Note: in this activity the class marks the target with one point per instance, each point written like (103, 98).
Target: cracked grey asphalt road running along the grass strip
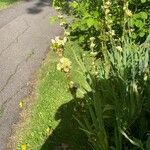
(25, 34)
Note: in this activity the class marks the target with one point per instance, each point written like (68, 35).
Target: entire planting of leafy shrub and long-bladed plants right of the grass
(117, 108)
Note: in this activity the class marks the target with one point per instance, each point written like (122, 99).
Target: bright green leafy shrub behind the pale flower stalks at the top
(96, 17)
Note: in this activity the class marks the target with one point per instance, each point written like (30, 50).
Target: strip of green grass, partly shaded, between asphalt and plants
(50, 122)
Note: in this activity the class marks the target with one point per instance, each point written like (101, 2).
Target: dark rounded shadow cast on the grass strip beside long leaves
(67, 135)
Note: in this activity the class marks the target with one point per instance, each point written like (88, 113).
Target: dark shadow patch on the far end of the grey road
(38, 6)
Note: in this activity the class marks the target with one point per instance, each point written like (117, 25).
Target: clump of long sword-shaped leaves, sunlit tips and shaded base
(116, 115)
